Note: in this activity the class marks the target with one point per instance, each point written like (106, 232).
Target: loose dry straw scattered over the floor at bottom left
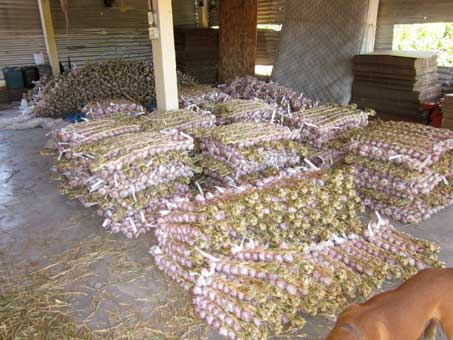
(39, 303)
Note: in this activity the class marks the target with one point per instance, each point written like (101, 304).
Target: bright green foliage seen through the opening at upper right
(437, 37)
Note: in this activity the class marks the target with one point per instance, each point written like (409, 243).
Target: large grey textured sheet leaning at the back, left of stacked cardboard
(319, 39)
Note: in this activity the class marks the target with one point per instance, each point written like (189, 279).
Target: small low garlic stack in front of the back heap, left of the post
(109, 107)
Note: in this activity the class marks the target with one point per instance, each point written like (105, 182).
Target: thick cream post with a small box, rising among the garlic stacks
(164, 57)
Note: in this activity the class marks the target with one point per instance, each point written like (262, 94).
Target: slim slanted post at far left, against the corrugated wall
(49, 35)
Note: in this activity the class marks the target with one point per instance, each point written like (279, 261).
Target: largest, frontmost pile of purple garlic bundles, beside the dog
(256, 255)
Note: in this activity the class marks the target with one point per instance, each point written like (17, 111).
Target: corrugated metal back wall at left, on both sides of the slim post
(95, 32)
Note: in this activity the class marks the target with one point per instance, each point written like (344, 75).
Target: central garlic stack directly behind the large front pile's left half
(230, 153)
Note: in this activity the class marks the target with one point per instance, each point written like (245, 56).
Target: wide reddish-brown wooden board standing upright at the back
(237, 38)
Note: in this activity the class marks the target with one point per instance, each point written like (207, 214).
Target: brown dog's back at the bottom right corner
(403, 313)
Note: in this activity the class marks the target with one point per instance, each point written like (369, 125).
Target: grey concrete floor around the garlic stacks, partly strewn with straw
(121, 285)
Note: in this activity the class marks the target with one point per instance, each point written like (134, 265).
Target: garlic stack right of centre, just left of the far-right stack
(328, 129)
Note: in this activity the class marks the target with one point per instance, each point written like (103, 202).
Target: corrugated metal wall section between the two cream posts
(95, 32)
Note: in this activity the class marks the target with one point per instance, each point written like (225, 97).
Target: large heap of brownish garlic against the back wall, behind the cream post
(69, 92)
